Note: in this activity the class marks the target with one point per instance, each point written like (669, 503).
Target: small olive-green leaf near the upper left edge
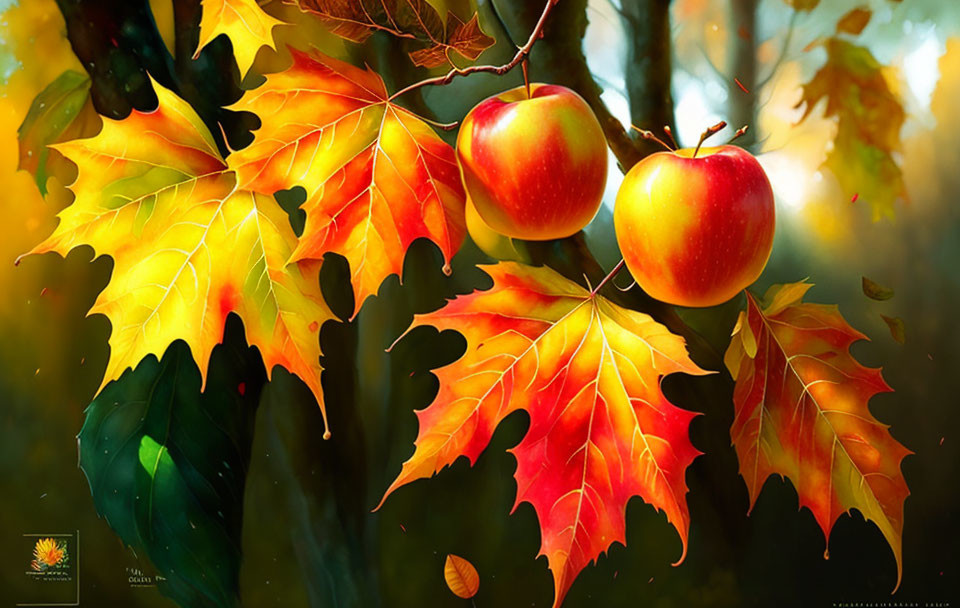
(61, 111)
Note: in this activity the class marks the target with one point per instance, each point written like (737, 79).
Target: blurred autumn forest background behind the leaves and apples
(309, 538)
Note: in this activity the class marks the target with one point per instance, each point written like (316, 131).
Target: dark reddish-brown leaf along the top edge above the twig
(356, 20)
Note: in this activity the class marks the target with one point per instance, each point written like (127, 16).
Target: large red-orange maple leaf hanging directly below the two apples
(588, 373)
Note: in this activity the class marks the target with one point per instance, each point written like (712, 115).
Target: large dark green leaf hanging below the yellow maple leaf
(167, 465)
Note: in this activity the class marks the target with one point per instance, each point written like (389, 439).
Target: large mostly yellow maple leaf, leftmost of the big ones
(188, 247)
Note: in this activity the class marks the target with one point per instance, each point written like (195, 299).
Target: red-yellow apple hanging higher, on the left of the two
(535, 167)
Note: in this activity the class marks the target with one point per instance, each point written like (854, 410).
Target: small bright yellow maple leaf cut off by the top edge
(244, 22)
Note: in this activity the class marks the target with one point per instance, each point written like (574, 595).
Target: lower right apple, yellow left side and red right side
(695, 230)
